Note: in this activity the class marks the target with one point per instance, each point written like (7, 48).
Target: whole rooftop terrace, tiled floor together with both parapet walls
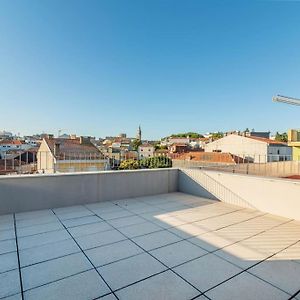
(154, 234)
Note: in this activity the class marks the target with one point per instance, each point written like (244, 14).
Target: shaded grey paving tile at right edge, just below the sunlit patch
(283, 274)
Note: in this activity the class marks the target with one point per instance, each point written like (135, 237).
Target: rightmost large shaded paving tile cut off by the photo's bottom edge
(246, 287)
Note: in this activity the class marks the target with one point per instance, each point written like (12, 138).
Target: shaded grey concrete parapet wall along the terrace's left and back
(34, 192)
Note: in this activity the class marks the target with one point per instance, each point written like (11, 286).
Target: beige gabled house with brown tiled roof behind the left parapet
(76, 154)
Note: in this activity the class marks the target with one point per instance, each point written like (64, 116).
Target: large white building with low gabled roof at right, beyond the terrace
(255, 149)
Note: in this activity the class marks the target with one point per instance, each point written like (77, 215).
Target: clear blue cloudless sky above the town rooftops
(103, 67)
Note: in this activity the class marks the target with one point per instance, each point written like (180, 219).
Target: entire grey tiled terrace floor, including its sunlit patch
(172, 246)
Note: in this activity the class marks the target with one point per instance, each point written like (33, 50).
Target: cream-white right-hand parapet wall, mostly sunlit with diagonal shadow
(271, 195)
